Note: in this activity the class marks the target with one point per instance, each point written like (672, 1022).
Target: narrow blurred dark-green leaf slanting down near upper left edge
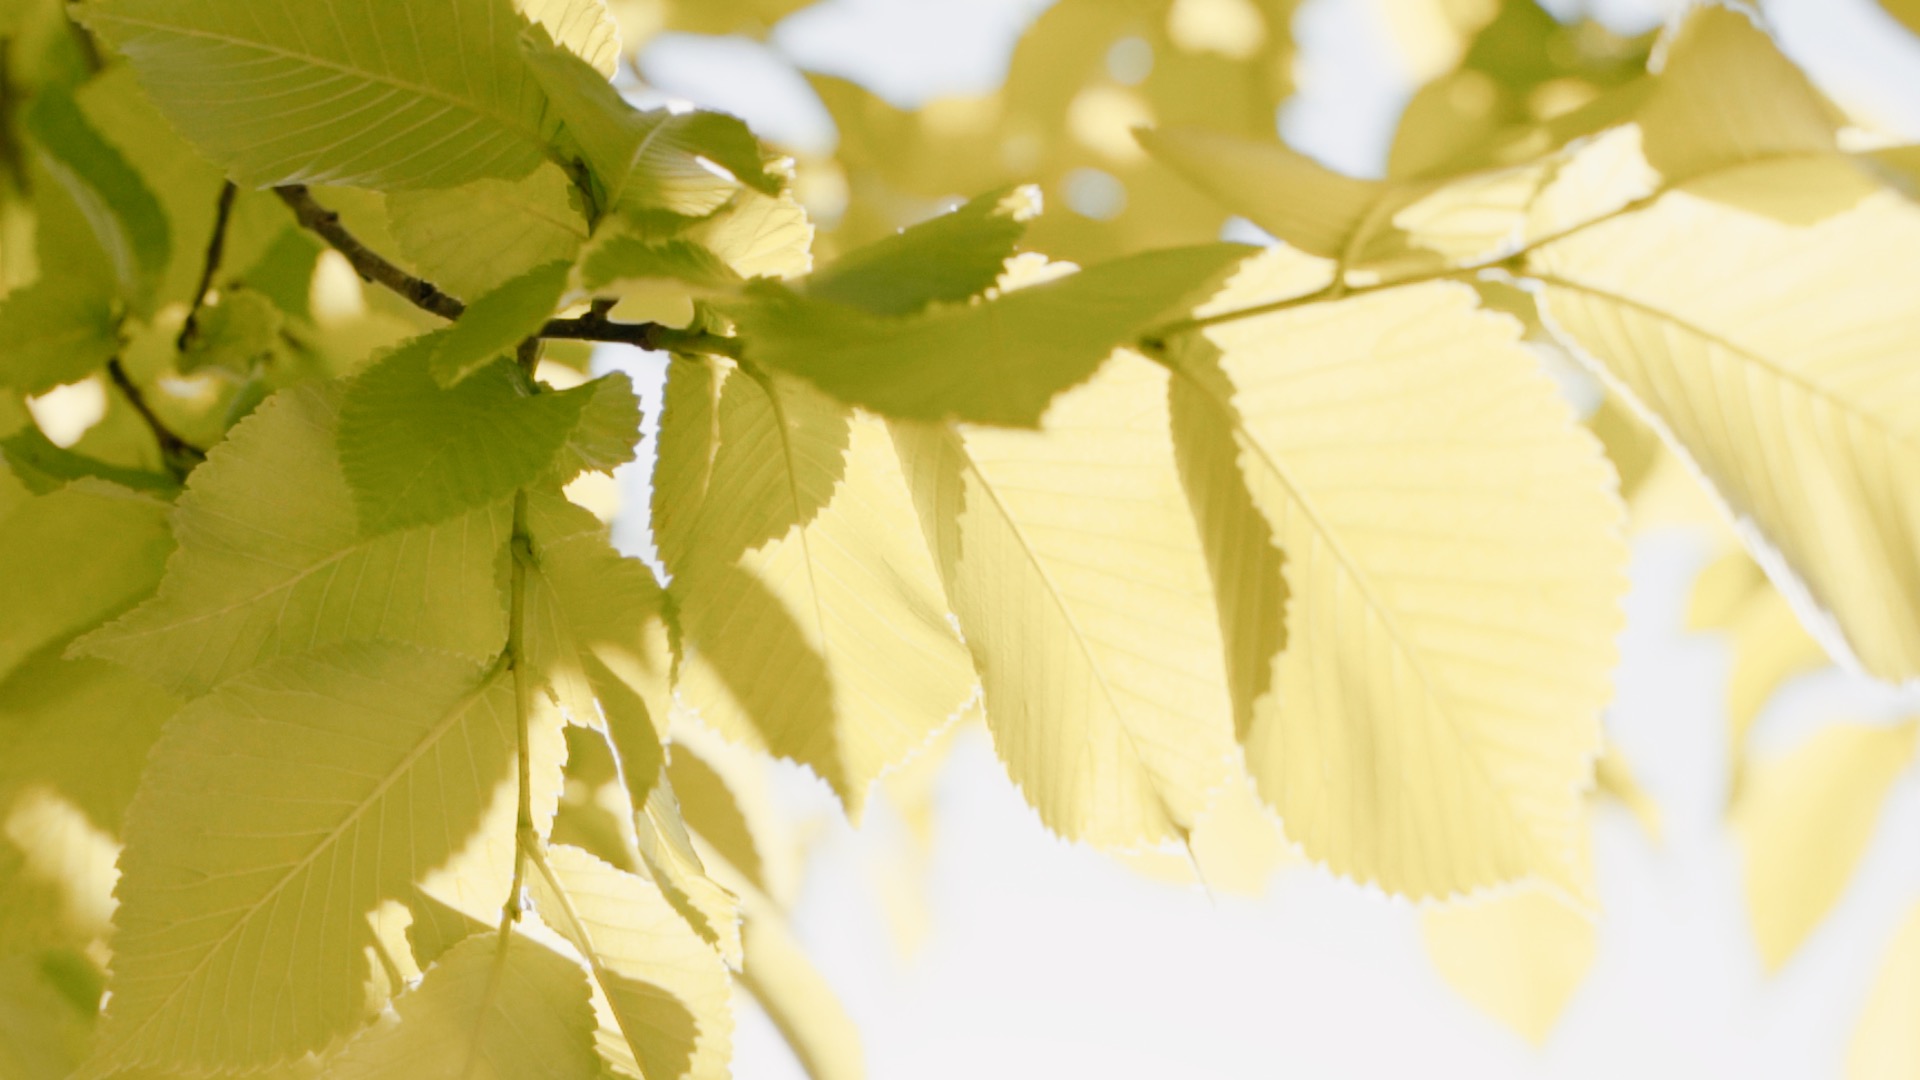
(126, 216)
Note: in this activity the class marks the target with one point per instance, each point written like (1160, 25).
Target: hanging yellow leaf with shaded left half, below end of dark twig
(809, 608)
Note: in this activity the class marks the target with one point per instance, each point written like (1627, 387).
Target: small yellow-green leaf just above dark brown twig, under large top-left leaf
(477, 237)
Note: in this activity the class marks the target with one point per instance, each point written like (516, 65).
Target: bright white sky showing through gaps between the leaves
(1051, 962)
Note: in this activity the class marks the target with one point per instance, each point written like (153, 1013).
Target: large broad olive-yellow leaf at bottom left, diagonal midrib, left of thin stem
(274, 816)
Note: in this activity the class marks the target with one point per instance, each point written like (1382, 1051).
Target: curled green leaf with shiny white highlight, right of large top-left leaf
(650, 160)
